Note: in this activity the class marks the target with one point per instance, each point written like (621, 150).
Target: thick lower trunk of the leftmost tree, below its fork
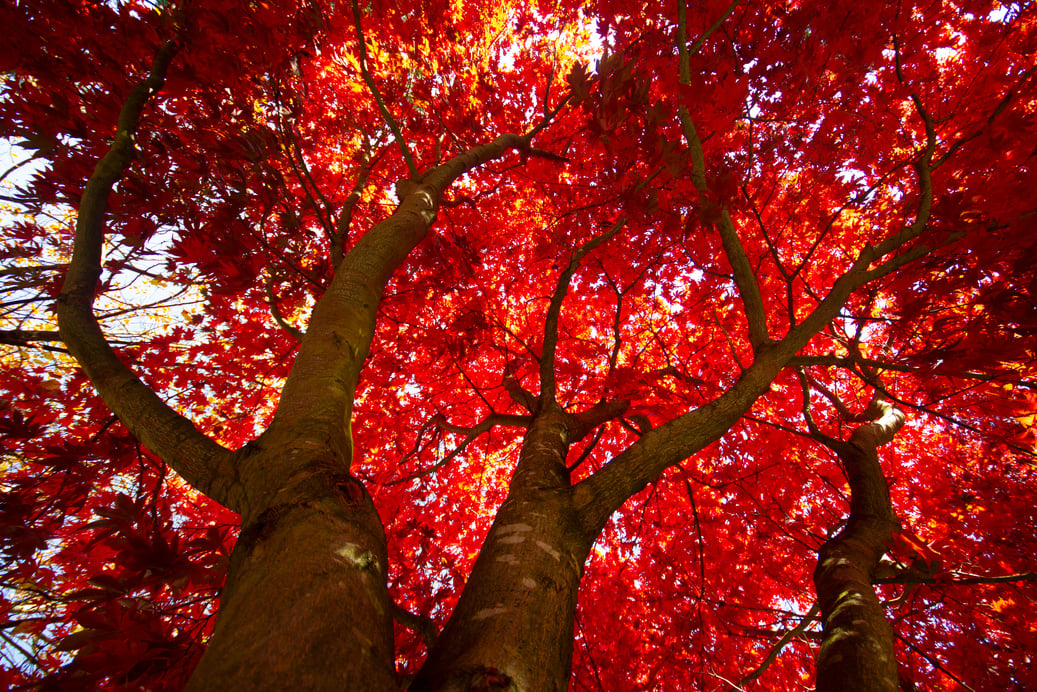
(305, 606)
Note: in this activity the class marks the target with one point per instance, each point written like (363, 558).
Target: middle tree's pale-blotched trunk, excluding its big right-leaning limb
(513, 628)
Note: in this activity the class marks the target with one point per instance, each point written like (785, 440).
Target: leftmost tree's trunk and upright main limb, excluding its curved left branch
(306, 604)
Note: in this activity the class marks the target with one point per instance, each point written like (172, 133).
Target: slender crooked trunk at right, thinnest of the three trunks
(857, 652)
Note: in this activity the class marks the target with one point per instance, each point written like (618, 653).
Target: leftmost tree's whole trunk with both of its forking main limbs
(305, 605)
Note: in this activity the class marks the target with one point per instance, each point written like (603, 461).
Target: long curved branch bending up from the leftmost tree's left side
(199, 460)
